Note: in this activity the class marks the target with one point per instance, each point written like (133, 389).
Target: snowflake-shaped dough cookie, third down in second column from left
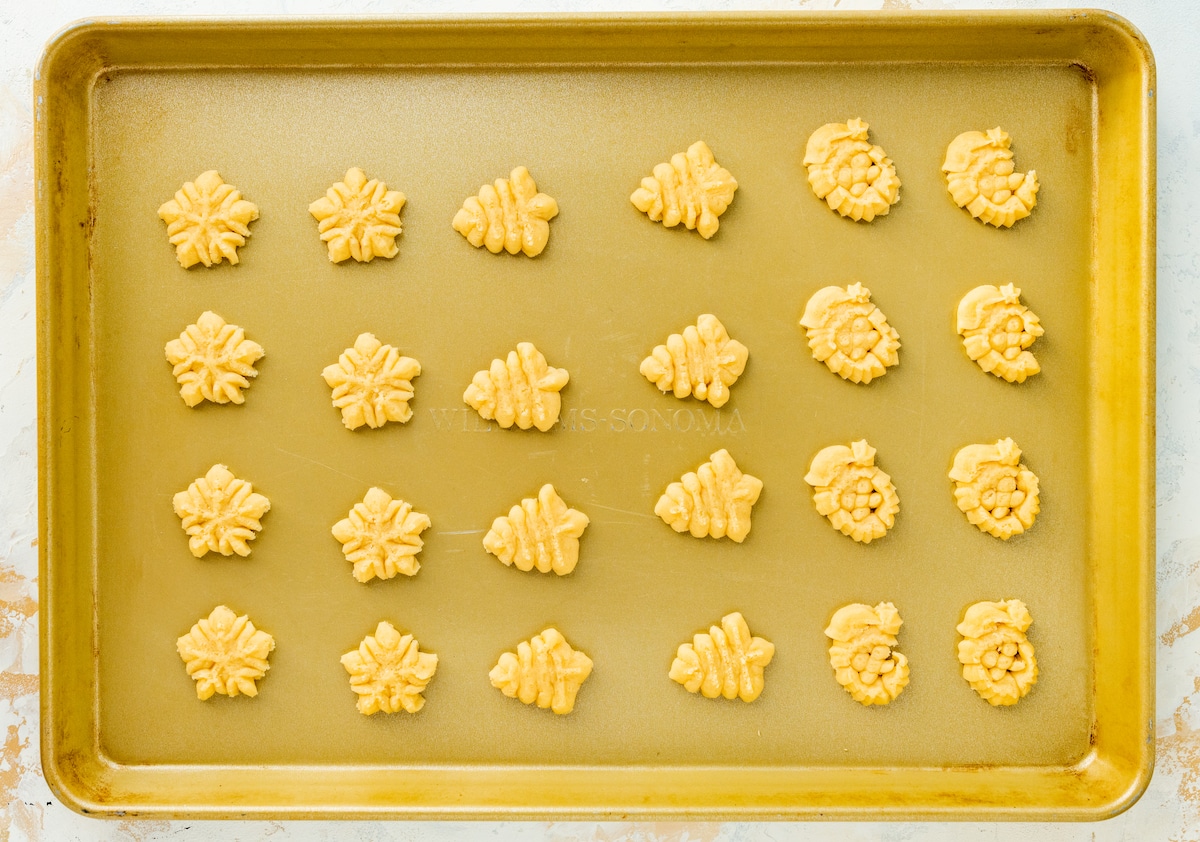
(382, 537)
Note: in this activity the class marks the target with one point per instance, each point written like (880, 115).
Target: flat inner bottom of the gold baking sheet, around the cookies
(610, 286)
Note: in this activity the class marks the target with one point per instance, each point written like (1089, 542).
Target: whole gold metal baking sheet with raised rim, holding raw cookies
(437, 109)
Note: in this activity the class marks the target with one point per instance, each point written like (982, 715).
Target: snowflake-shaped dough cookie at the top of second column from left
(359, 219)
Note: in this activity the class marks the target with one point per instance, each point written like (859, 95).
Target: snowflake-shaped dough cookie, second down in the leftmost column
(213, 362)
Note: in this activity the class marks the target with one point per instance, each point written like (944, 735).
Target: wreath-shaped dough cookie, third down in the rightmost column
(994, 490)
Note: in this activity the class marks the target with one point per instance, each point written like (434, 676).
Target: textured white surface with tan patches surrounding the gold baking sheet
(1169, 811)
